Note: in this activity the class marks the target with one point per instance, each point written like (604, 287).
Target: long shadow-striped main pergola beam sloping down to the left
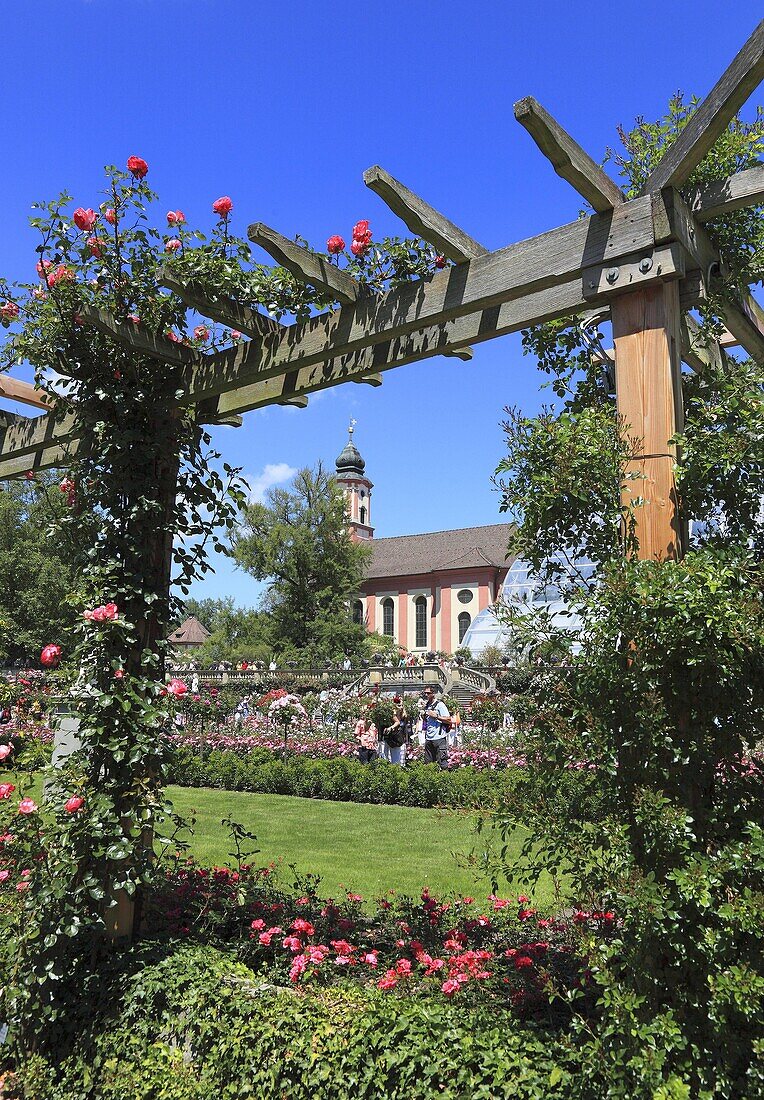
(485, 284)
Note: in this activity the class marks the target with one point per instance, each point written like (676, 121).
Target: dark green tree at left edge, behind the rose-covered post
(36, 578)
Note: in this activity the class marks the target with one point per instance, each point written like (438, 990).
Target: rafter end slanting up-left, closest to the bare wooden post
(569, 160)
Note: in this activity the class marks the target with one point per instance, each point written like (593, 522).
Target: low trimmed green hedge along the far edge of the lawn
(345, 780)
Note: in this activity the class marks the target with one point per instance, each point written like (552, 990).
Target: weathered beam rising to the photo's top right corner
(713, 116)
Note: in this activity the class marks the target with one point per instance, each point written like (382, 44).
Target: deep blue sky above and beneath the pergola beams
(284, 108)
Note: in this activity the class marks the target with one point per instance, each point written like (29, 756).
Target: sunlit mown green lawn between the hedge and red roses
(366, 849)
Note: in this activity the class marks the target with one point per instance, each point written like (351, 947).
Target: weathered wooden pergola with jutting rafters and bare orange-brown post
(644, 265)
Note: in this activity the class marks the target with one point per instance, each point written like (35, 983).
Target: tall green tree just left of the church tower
(298, 542)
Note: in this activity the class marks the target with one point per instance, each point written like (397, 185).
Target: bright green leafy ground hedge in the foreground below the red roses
(198, 1026)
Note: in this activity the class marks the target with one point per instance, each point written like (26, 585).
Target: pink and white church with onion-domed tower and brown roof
(422, 590)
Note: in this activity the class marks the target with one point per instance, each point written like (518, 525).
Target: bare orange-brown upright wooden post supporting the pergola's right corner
(647, 334)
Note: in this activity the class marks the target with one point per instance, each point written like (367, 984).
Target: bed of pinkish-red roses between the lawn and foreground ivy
(500, 950)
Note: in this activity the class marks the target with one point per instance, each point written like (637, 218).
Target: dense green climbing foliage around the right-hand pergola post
(667, 700)
